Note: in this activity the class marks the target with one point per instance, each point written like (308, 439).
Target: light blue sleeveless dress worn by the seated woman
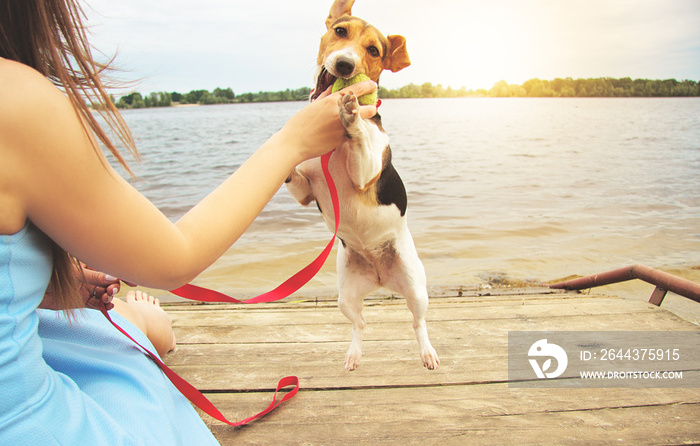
(77, 382)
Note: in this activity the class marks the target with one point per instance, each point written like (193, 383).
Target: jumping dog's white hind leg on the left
(356, 279)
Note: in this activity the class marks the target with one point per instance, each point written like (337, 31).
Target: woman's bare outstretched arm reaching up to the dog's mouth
(51, 175)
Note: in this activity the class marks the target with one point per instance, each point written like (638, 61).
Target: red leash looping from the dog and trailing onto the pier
(288, 287)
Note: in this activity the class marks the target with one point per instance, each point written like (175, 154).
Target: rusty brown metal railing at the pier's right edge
(664, 282)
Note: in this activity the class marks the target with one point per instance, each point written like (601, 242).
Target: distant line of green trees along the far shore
(568, 87)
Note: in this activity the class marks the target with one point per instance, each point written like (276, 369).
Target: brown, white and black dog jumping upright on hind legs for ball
(376, 248)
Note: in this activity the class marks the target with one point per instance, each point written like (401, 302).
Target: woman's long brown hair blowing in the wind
(49, 36)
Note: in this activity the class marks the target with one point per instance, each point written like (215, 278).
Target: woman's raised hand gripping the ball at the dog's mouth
(317, 129)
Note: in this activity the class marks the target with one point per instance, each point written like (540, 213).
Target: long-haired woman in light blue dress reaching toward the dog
(58, 195)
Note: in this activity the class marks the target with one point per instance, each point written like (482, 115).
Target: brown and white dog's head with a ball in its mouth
(352, 46)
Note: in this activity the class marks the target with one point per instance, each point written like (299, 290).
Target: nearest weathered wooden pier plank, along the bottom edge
(478, 414)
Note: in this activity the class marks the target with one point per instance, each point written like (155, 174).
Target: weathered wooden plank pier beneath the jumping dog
(235, 354)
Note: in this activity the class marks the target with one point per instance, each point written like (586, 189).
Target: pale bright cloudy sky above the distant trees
(270, 45)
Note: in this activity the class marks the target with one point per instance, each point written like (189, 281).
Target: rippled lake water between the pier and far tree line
(511, 190)
